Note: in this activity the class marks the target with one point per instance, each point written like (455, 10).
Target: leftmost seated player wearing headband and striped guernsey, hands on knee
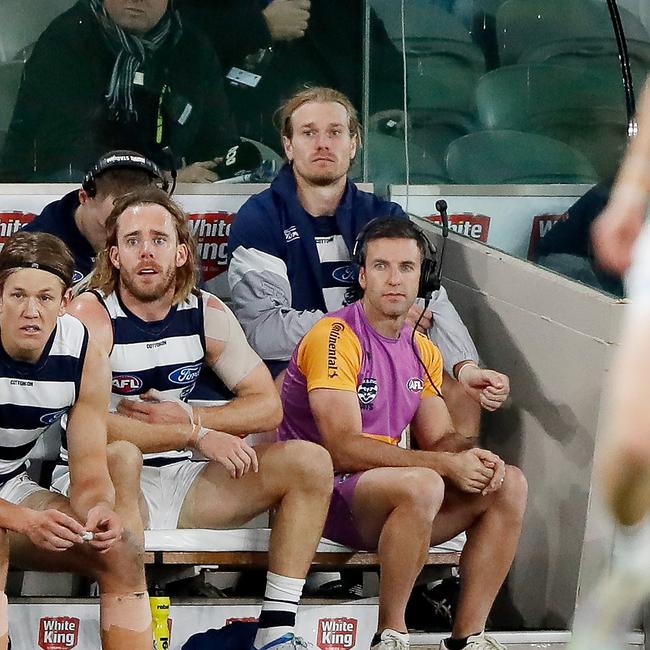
(49, 369)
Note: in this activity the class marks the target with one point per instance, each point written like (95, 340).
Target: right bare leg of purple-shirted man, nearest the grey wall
(493, 524)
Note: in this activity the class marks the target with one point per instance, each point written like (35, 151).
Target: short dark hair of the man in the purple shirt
(382, 228)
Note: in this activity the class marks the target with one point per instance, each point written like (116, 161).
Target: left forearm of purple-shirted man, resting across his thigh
(359, 453)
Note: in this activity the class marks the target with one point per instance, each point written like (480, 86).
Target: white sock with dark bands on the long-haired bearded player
(278, 615)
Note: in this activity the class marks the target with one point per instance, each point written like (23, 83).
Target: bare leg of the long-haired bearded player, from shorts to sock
(295, 476)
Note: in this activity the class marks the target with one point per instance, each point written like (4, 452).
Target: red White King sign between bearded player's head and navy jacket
(211, 230)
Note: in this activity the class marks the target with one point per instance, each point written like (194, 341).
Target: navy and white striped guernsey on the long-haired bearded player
(166, 355)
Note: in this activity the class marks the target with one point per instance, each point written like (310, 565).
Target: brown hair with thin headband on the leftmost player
(37, 250)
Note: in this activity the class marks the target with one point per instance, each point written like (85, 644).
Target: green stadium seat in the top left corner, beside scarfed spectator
(23, 21)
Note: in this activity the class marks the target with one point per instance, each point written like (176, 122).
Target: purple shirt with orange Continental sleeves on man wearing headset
(344, 352)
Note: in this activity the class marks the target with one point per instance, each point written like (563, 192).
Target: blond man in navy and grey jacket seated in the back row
(290, 253)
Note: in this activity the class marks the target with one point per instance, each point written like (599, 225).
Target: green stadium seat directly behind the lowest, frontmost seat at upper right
(567, 104)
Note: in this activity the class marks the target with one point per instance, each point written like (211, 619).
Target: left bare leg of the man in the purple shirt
(394, 508)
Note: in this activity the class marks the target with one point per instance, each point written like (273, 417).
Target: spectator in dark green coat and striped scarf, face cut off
(113, 74)
